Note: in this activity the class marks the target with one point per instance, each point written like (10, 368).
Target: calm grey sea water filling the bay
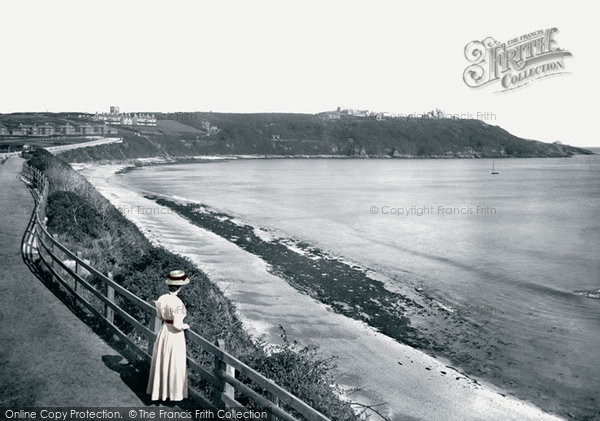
(506, 258)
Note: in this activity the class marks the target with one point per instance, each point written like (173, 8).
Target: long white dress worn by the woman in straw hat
(168, 371)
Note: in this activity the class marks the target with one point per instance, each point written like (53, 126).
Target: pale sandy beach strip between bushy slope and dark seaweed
(412, 384)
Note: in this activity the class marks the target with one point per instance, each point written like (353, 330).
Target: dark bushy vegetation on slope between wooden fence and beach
(85, 221)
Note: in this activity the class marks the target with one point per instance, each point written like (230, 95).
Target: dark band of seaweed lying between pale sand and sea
(347, 289)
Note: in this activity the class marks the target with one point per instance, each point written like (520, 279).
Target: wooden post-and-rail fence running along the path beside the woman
(228, 377)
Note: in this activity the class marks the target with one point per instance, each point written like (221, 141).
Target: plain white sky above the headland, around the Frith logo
(294, 56)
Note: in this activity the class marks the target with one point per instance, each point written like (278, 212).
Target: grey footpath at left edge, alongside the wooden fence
(49, 357)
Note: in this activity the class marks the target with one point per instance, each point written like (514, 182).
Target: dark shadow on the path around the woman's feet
(136, 378)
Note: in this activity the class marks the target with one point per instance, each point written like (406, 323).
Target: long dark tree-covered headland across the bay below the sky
(306, 134)
